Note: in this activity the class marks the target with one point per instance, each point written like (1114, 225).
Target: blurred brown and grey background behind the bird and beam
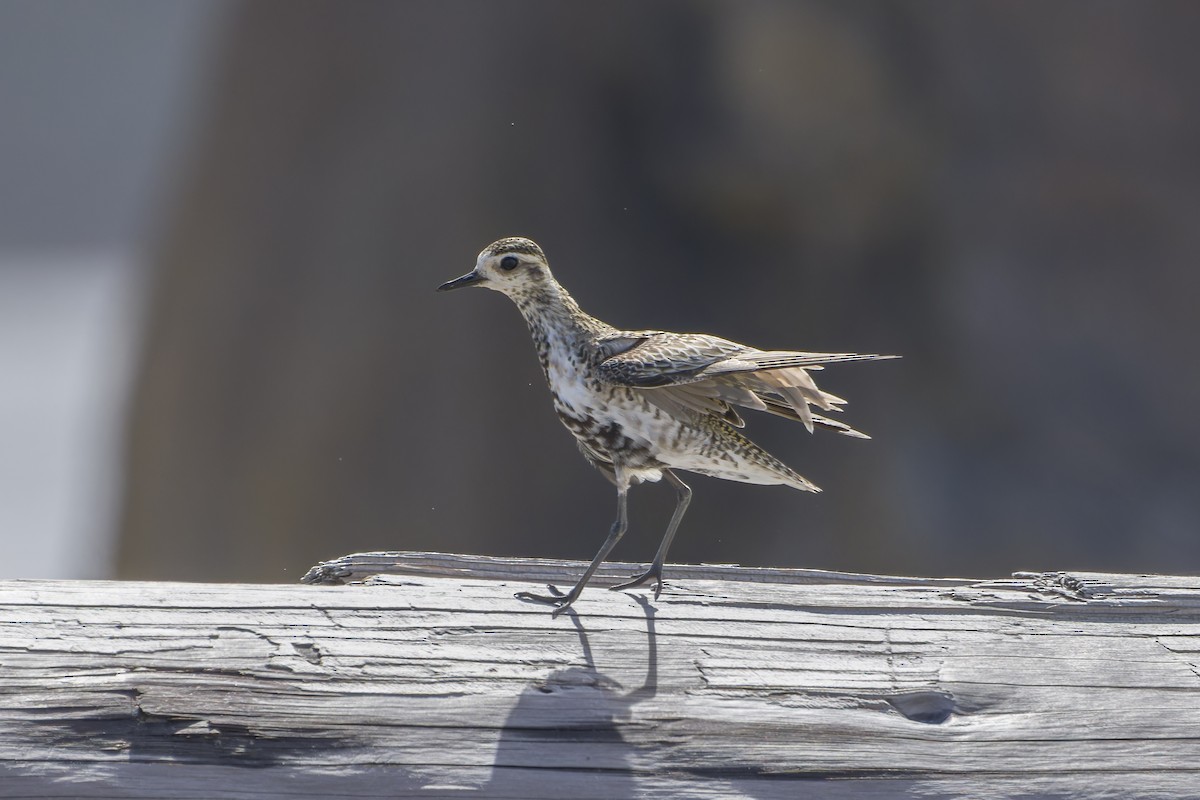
(221, 225)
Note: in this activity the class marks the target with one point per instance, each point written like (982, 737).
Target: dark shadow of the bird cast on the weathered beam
(569, 720)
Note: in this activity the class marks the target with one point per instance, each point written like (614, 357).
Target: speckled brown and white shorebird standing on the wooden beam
(643, 405)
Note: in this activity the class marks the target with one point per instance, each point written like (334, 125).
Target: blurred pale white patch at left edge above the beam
(68, 332)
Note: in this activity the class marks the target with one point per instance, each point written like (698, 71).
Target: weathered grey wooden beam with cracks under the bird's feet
(434, 682)
